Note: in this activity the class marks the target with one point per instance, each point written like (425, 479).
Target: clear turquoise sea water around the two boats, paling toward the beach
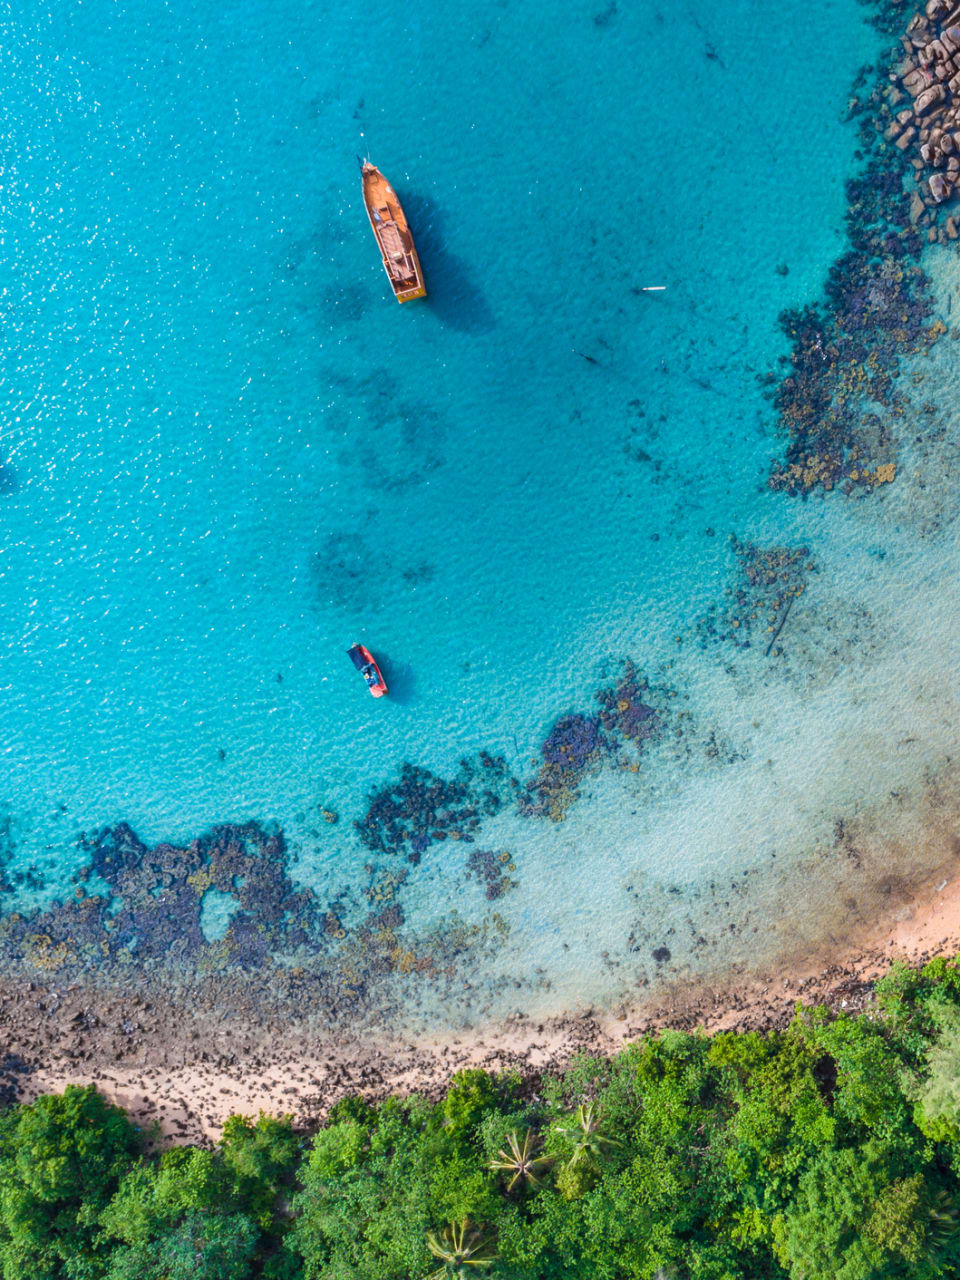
(227, 454)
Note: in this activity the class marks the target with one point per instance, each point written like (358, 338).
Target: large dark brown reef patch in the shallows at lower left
(136, 918)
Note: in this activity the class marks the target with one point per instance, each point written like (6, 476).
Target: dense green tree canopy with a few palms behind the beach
(826, 1151)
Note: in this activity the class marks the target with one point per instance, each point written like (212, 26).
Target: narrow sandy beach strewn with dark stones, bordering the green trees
(173, 1069)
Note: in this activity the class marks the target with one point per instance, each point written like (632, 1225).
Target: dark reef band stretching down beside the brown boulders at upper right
(838, 399)
